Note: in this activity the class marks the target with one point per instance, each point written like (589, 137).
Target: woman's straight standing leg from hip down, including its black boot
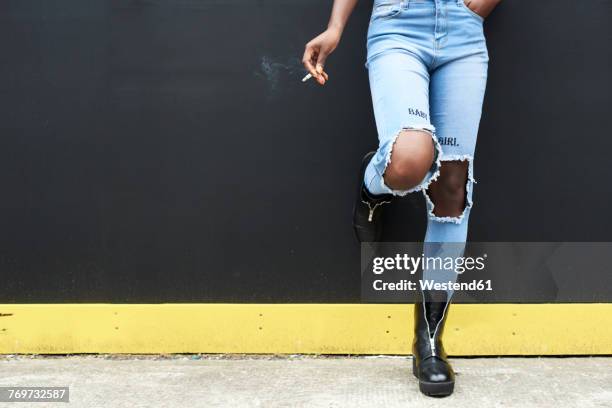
(457, 86)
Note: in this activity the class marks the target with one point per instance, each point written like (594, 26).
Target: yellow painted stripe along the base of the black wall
(494, 329)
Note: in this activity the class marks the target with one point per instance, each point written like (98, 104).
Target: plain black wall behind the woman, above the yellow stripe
(166, 150)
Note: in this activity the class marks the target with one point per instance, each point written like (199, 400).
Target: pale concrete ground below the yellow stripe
(299, 381)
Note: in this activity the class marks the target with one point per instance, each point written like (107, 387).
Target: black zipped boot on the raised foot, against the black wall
(367, 221)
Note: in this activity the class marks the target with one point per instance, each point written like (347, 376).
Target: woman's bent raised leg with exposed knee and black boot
(406, 159)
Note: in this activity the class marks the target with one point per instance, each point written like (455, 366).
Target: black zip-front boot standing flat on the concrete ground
(429, 362)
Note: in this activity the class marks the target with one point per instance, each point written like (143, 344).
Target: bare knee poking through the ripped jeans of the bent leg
(411, 158)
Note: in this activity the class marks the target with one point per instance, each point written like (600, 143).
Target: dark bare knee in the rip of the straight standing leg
(448, 192)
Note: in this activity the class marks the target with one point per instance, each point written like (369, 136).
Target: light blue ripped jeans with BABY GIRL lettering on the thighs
(427, 62)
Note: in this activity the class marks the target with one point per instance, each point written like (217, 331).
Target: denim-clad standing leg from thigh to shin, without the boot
(457, 93)
